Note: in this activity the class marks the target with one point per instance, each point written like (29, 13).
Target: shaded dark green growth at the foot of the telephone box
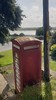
(32, 93)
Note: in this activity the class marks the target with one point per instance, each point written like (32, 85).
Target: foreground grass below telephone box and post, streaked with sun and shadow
(46, 91)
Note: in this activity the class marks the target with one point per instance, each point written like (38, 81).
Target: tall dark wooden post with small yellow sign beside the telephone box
(46, 38)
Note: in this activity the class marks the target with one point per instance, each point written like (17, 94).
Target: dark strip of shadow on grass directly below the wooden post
(48, 91)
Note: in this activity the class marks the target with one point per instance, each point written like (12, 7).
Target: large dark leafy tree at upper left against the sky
(10, 18)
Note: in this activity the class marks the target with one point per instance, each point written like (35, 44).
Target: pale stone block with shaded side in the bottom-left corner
(5, 91)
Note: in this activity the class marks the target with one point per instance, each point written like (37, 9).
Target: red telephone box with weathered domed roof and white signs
(27, 61)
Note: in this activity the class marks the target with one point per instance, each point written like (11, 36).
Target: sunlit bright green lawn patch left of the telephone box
(6, 58)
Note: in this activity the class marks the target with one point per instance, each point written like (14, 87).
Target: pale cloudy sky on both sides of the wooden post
(33, 9)
